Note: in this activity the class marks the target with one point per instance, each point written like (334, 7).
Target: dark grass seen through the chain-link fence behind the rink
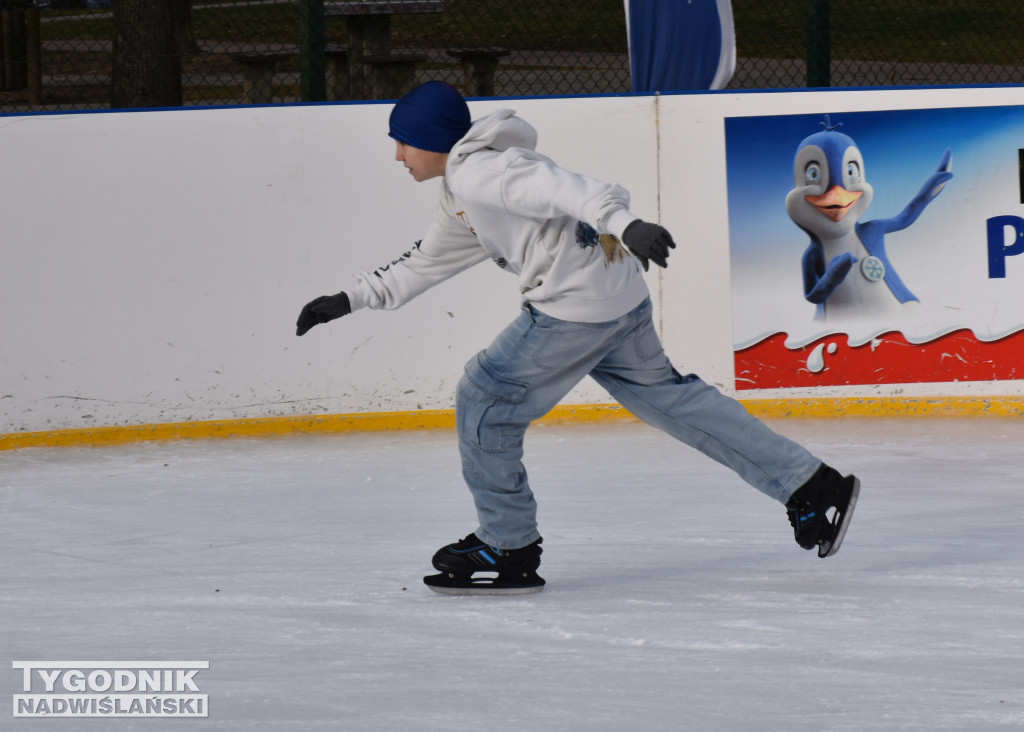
(950, 31)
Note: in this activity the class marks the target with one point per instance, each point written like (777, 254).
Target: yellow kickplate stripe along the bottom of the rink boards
(445, 419)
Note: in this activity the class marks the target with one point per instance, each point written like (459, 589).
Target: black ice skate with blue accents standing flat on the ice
(509, 572)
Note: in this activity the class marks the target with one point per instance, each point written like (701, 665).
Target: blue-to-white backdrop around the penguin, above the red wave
(943, 256)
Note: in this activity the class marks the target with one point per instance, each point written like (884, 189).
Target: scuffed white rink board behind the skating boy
(155, 263)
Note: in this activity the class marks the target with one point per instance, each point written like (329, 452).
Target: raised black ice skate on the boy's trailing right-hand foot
(822, 508)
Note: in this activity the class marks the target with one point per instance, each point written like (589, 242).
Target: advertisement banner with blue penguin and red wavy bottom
(877, 247)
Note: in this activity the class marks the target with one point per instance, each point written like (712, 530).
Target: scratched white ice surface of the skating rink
(676, 598)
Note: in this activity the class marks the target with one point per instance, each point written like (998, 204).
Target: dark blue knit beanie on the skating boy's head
(432, 117)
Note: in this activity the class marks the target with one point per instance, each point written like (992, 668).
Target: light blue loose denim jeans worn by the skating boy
(537, 360)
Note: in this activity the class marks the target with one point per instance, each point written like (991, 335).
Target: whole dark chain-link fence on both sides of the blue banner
(64, 55)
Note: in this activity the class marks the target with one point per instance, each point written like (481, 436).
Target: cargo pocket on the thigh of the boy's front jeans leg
(487, 404)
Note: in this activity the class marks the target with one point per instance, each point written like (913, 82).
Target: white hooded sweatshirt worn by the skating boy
(559, 232)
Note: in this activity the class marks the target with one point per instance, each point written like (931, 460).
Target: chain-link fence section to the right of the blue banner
(818, 44)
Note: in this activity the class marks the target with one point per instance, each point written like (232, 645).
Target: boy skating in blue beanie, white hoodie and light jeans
(578, 253)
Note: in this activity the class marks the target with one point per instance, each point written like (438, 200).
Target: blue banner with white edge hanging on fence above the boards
(678, 46)
